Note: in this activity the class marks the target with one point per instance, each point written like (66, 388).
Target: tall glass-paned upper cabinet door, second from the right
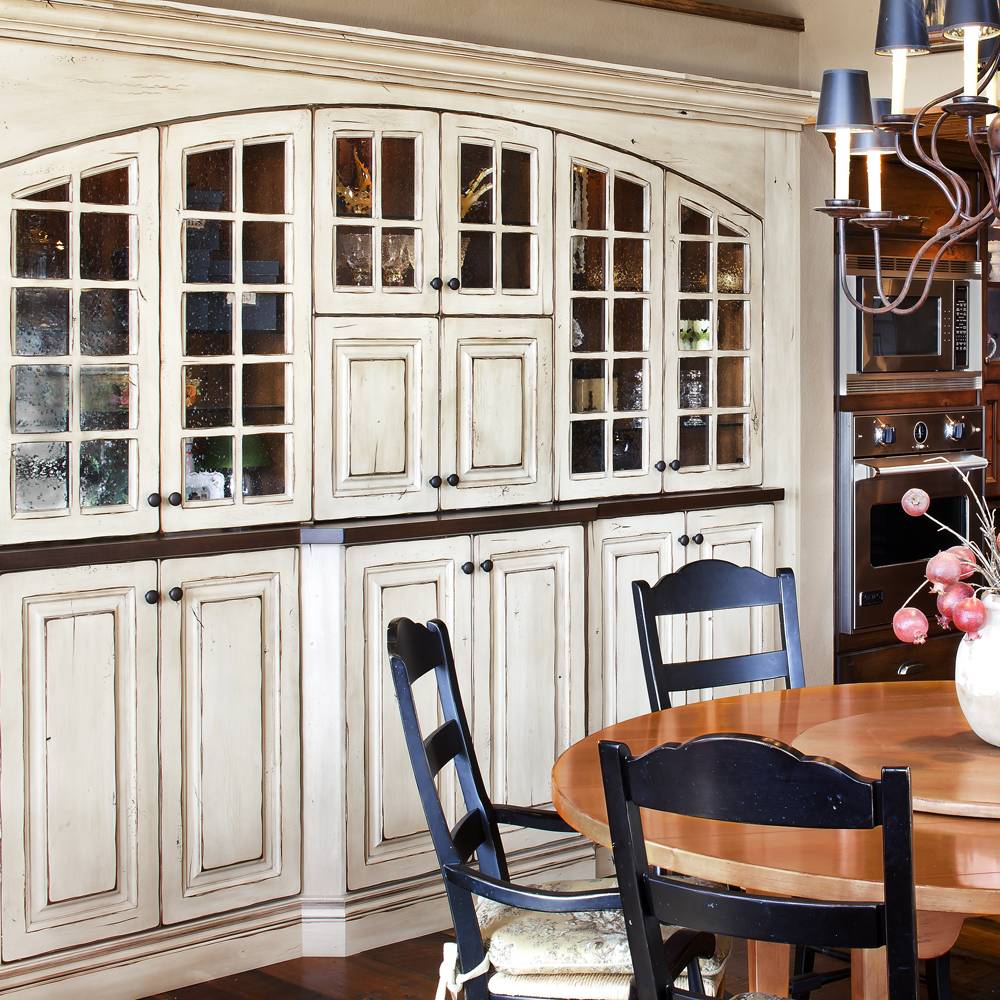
(608, 374)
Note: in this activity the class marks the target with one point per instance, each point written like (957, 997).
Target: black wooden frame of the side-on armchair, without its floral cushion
(415, 650)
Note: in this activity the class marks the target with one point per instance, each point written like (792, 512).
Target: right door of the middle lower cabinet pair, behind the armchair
(529, 669)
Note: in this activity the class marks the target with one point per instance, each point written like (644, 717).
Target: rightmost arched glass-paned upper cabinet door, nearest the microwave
(715, 340)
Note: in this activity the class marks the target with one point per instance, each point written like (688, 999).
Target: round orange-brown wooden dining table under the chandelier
(956, 856)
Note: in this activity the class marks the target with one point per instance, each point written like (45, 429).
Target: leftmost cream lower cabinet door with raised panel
(78, 786)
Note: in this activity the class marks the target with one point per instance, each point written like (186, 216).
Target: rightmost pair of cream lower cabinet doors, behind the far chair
(646, 548)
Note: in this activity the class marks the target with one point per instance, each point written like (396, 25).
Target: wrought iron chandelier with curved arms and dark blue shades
(875, 129)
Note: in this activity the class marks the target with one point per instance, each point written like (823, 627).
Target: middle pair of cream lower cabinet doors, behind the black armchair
(513, 603)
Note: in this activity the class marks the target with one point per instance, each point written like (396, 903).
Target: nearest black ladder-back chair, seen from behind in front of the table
(748, 779)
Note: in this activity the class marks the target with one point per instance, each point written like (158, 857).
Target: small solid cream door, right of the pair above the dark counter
(496, 414)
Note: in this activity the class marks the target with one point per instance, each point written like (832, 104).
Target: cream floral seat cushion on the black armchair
(579, 956)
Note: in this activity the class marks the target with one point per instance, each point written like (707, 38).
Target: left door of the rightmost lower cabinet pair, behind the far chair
(621, 551)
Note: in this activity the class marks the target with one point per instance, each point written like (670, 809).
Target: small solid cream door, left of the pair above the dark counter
(376, 416)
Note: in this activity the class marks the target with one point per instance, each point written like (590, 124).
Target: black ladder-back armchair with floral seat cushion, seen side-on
(567, 914)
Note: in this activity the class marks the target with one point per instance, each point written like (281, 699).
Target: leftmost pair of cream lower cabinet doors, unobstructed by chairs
(95, 746)
